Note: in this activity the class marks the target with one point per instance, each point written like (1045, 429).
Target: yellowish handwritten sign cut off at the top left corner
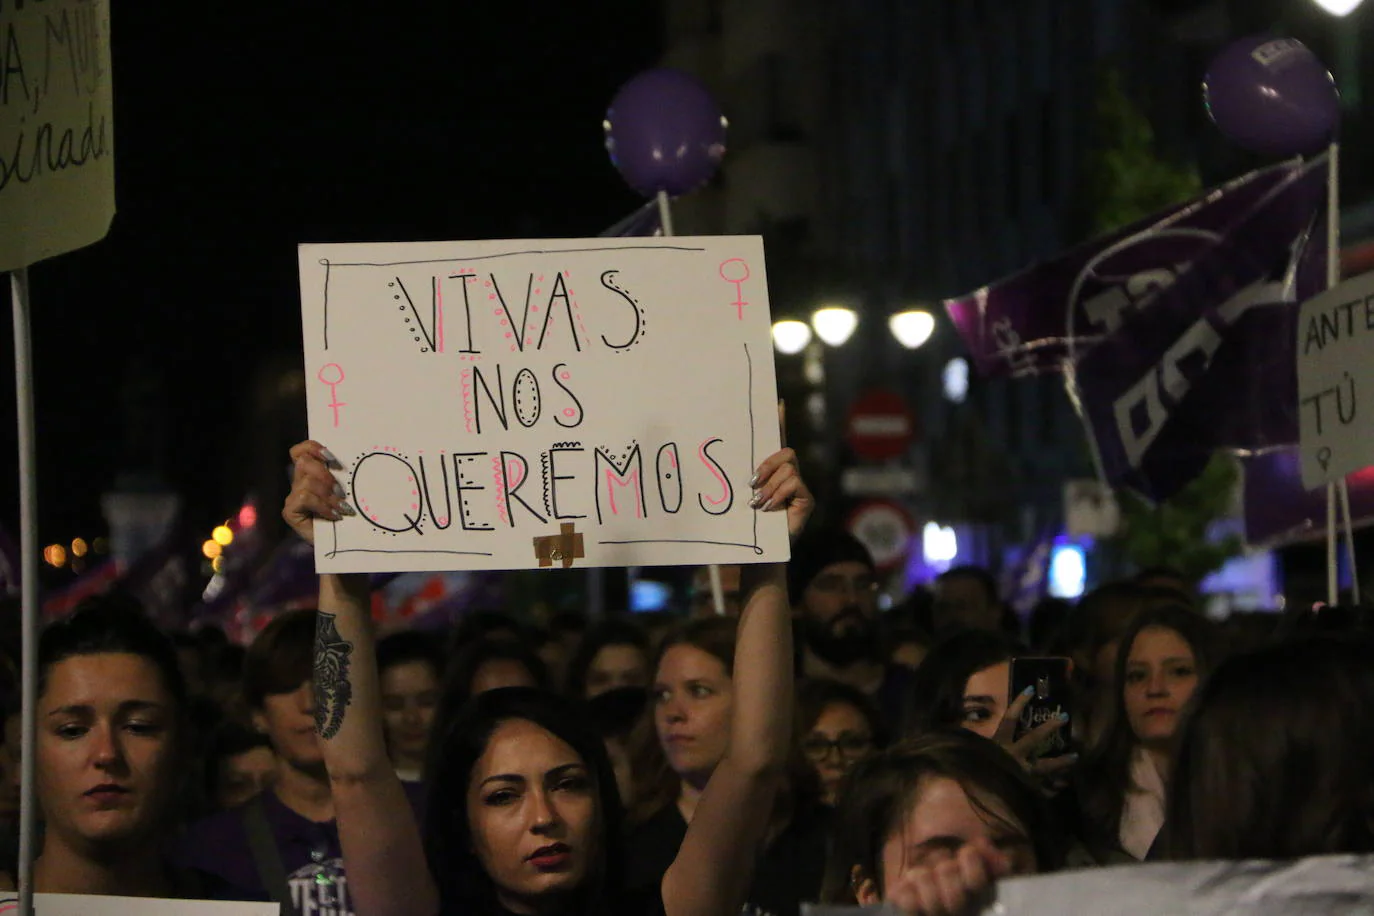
(57, 128)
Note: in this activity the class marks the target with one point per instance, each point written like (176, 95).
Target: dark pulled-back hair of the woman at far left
(112, 624)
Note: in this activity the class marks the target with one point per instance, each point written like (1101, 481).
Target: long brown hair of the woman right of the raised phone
(1105, 777)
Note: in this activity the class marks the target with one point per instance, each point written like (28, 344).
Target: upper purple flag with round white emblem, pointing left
(1042, 318)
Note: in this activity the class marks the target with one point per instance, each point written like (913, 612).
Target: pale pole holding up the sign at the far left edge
(30, 582)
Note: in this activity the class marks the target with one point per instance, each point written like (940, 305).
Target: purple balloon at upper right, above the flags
(1273, 97)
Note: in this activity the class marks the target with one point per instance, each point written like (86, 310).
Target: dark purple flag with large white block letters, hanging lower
(1207, 360)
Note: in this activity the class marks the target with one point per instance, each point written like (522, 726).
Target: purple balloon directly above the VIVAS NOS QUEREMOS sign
(666, 133)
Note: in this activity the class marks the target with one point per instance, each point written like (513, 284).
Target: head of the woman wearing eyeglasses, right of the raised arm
(840, 727)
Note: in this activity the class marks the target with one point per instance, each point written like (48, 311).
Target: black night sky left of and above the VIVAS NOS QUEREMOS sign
(247, 128)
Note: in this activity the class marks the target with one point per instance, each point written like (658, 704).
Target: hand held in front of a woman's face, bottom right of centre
(957, 886)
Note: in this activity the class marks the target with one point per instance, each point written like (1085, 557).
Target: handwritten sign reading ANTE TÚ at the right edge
(1335, 376)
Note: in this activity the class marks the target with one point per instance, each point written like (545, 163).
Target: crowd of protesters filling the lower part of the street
(800, 748)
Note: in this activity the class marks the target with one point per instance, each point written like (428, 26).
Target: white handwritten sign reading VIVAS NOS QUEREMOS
(542, 404)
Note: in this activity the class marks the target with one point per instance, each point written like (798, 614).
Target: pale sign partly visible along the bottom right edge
(1324, 886)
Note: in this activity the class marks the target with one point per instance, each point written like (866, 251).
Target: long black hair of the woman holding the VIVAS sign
(465, 886)
